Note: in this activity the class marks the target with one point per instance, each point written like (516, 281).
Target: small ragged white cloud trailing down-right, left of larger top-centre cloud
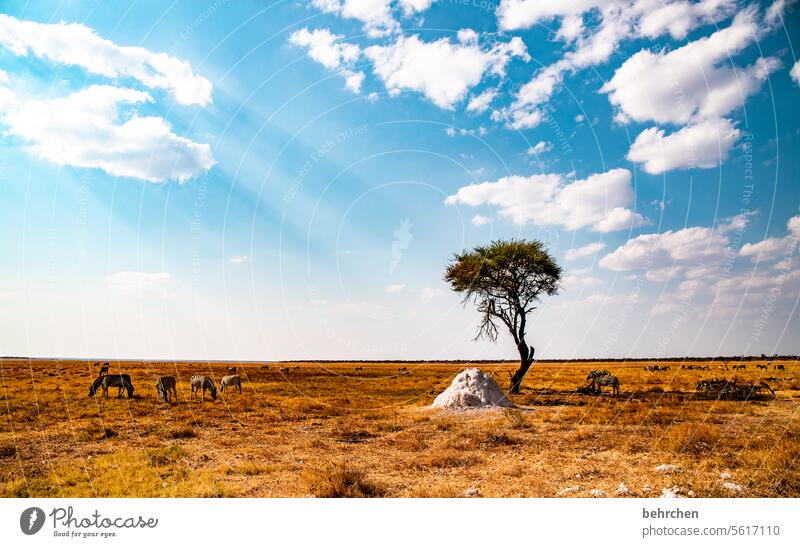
(328, 50)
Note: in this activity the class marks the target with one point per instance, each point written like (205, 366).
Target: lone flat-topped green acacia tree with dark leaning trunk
(505, 279)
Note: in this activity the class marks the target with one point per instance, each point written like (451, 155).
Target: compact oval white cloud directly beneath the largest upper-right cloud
(705, 144)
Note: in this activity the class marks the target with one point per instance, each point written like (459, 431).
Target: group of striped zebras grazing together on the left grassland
(166, 386)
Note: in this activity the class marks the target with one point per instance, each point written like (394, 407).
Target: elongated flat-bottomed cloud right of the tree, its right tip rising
(694, 247)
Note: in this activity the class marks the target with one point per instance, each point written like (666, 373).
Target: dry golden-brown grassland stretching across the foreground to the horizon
(329, 430)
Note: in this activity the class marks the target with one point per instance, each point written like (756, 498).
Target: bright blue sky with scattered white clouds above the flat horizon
(289, 179)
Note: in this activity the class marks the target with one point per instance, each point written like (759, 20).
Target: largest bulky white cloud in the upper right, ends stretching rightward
(692, 82)
